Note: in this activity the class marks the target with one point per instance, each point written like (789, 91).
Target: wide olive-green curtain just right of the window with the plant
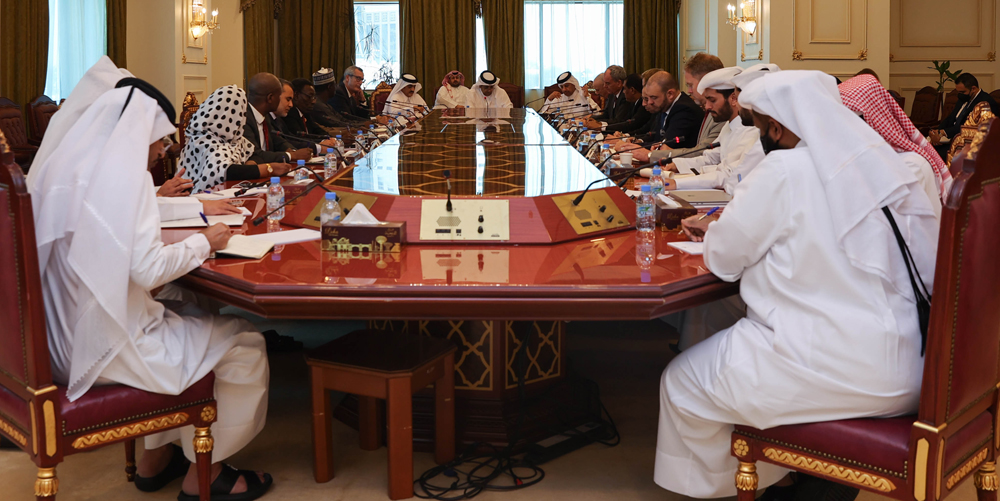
(438, 36)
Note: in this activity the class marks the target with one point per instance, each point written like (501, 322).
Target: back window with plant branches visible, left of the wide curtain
(376, 39)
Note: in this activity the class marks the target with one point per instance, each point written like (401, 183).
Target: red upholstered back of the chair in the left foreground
(24, 354)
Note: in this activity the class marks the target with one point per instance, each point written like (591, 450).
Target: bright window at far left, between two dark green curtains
(77, 39)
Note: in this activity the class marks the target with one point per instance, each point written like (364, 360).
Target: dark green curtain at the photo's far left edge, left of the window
(24, 49)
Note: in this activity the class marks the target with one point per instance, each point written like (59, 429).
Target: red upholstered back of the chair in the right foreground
(962, 366)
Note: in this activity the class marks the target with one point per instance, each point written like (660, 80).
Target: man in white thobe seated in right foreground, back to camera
(831, 330)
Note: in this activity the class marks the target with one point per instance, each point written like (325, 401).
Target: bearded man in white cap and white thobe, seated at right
(739, 150)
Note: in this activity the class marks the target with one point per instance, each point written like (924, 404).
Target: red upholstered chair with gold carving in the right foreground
(955, 434)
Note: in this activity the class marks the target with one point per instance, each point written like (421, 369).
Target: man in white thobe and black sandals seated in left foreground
(99, 258)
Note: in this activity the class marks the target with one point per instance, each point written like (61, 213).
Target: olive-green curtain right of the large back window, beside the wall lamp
(650, 33)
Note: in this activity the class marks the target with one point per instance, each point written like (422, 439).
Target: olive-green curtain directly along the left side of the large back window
(503, 24)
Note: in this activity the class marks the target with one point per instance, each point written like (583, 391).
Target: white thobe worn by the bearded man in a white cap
(738, 153)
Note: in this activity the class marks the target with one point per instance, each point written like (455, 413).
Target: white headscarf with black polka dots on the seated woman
(215, 138)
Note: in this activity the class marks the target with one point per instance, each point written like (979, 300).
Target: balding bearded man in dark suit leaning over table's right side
(676, 115)
